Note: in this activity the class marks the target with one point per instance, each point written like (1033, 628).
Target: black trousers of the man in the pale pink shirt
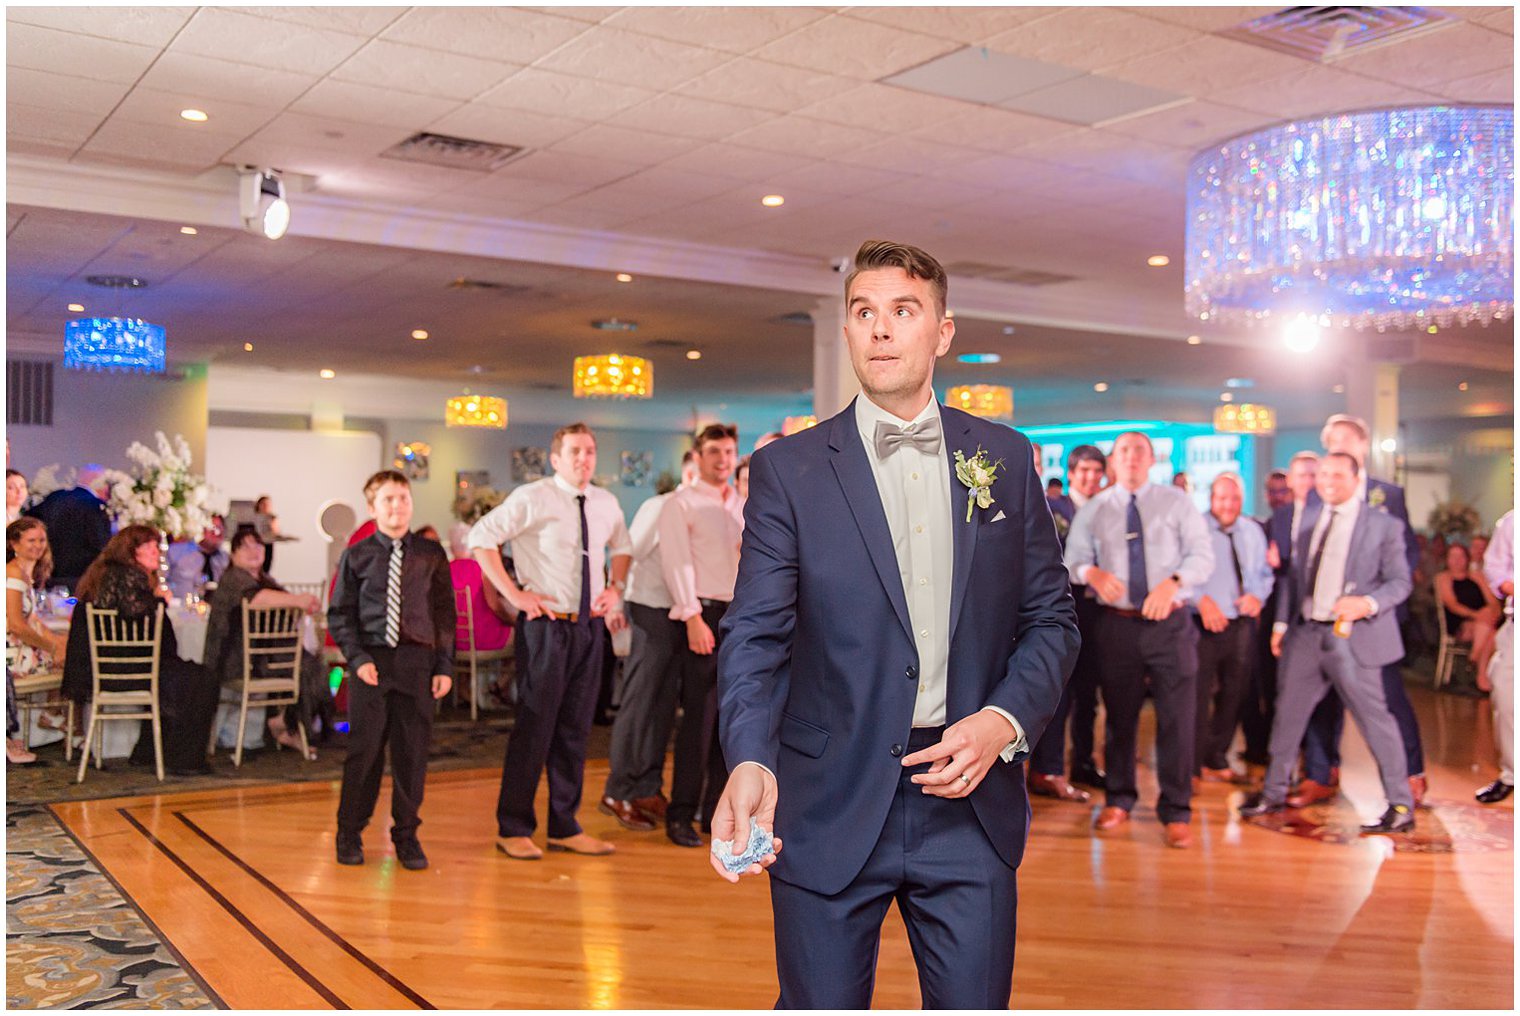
(700, 772)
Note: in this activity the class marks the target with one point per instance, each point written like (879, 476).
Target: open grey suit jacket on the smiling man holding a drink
(1375, 567)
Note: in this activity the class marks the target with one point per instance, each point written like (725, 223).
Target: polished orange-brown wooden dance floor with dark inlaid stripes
(244, 886)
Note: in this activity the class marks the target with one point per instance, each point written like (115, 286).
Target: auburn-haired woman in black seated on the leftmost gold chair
(125, 579)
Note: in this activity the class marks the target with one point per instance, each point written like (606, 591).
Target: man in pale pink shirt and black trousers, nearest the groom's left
(700, 532)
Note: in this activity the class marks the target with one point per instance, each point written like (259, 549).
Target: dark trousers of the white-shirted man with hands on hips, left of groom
(556, 703)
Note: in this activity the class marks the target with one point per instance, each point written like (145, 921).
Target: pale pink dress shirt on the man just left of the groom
(700, 533)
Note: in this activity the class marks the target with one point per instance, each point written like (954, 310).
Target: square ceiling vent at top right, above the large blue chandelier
(1323, 34)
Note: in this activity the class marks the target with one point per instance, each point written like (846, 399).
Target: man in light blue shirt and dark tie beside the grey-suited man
(1229, 605)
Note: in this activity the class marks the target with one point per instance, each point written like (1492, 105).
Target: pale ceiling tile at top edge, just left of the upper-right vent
(1091, 37)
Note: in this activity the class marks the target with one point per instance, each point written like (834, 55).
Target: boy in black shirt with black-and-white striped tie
(393, 615)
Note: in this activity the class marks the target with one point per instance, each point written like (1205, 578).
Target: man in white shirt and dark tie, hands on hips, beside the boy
(559, 529)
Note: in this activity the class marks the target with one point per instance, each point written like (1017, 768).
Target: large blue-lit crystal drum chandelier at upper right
(1379, 220)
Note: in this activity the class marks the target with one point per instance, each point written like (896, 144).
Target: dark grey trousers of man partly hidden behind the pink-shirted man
(651, 684)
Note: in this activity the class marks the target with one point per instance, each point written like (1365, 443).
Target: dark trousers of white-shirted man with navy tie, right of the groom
(1135, 649)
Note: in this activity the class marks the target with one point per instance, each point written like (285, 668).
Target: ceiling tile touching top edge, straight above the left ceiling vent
(499, 34)
